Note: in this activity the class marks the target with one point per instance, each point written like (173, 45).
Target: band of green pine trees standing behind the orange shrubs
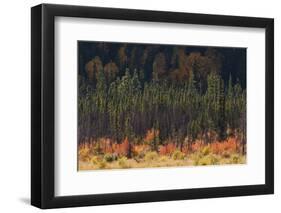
(131, 102)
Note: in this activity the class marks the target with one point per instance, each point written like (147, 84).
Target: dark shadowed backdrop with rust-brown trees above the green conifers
(232, 61)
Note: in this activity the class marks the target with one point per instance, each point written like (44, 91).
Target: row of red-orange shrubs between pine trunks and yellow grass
(90, 147)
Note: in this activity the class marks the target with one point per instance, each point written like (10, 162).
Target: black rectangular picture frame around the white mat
(43, 102)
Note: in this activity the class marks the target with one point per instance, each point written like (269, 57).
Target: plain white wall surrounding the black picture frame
(15, 105)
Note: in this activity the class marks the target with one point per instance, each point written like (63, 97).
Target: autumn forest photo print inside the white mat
(159, 105)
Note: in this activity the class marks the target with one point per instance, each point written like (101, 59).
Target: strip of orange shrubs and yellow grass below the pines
(105, 152)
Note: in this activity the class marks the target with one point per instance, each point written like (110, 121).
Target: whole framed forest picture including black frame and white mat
(134, 95)
